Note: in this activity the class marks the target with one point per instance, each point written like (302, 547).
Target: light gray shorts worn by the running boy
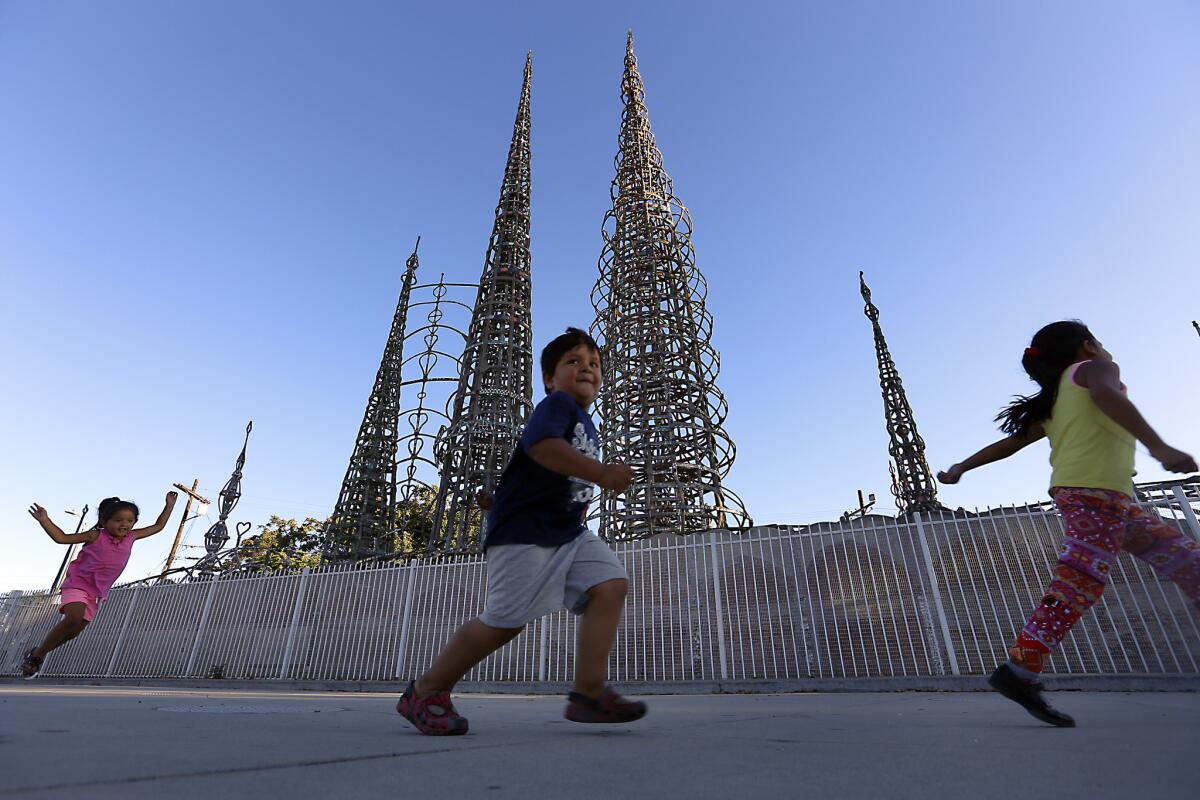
(530, 581)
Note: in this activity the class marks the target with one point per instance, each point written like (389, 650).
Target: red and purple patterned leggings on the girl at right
(1101, 525)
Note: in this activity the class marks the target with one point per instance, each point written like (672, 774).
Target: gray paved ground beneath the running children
(73, 742)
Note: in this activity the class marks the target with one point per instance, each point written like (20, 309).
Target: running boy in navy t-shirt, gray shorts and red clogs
(541, 555)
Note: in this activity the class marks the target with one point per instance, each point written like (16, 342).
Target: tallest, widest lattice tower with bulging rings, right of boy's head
(662, 411)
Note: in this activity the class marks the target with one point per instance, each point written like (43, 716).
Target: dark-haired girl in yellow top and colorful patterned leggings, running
(1083, 410)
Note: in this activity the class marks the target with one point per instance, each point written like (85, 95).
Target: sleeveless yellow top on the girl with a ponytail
(1088, 448)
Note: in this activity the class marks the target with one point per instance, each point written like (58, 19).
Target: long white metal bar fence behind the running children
(934, 596)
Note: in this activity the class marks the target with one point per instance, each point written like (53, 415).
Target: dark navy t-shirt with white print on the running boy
(535, 506)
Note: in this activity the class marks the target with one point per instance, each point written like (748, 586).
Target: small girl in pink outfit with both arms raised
(101, 561)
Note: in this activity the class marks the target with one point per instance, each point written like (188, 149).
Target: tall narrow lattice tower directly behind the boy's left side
(495, 394)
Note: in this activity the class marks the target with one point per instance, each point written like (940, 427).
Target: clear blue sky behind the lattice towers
(206, 210)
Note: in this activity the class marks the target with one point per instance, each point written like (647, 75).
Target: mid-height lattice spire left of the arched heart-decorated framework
(362, 525)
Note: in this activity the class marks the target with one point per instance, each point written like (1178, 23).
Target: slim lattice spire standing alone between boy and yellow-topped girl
(913, 482)
